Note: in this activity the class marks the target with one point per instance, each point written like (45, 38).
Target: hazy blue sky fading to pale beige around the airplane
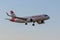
(18, 31)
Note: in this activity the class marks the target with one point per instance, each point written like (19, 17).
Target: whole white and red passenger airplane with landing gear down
(37, 18)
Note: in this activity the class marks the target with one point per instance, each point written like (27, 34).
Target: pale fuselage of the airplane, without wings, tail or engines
(34, 18)
